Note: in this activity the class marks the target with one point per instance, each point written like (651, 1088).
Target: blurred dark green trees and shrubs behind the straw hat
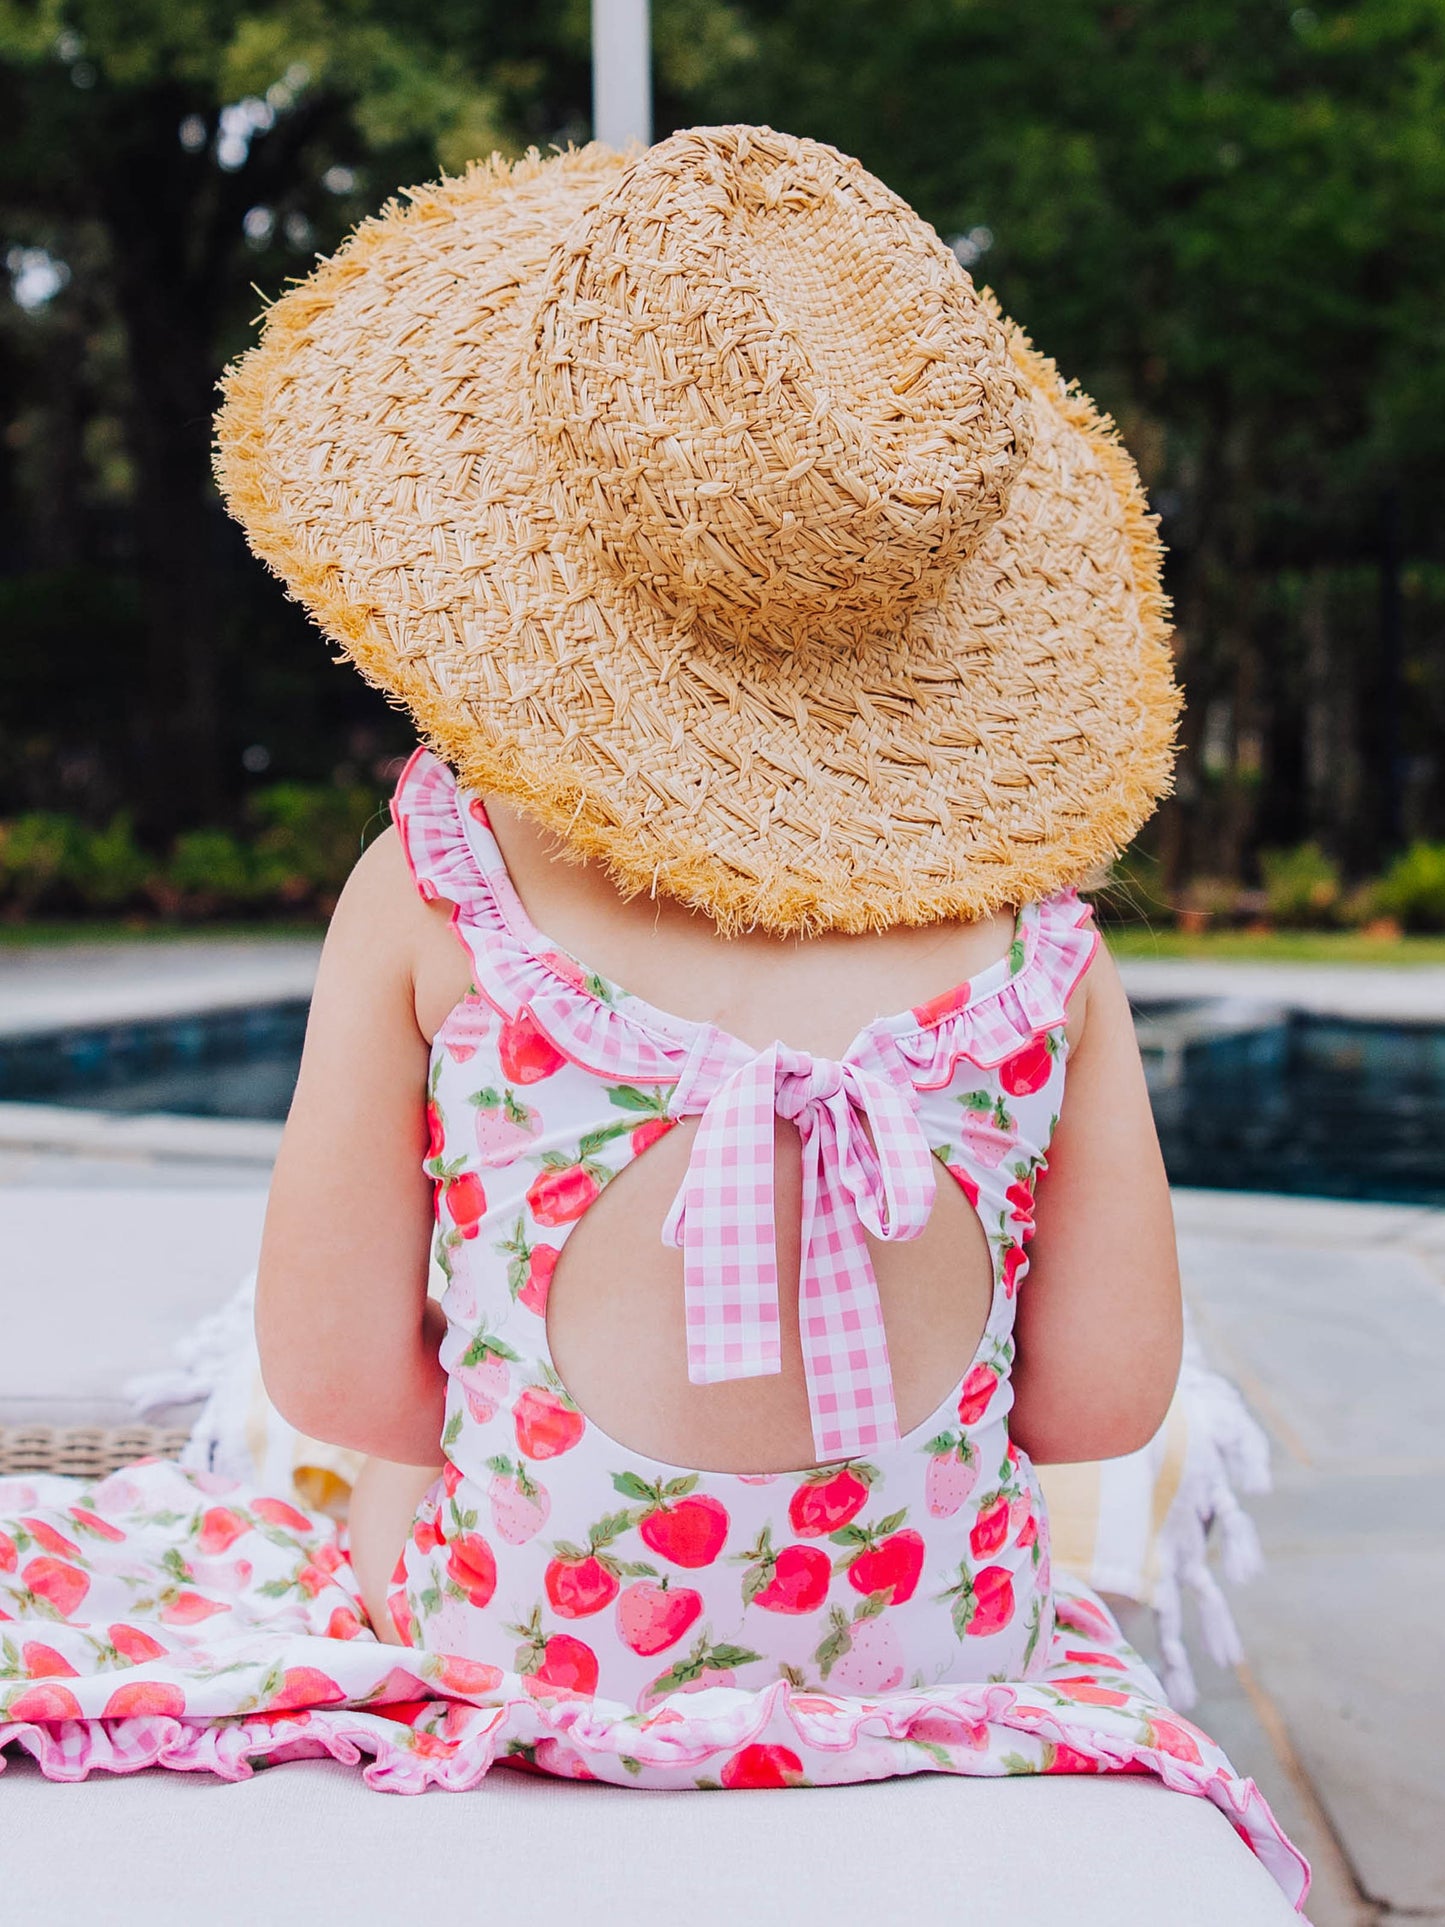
(1226, 219)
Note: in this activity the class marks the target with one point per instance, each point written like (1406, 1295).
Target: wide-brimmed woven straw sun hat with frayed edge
(698, 504)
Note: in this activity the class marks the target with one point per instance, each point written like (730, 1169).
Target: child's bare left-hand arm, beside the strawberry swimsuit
(348, 1336)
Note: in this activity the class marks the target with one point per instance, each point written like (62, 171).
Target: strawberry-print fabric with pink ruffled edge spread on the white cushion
(223, 1631)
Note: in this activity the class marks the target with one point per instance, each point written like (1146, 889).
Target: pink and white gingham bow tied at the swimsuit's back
(723, 1221)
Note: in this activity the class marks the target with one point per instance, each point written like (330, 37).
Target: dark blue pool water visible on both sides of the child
(1246, 1097)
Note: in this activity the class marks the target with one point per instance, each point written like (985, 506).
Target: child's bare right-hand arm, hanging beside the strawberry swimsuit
(1099, 1325)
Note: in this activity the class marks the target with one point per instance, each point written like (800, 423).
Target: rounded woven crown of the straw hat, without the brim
(770, 392)
